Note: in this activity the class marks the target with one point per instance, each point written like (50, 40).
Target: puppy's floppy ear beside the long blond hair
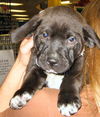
(90, 37)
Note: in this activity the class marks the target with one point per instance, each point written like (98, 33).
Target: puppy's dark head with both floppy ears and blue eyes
(60, 34)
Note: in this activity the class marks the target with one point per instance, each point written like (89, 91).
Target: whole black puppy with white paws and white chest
(60, 34)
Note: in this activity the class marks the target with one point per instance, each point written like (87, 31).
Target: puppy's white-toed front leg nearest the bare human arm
(35, 80)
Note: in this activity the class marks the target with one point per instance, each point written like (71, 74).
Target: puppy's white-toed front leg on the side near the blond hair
(69, 98)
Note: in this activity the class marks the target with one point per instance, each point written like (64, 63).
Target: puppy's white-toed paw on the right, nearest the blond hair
(69, 107)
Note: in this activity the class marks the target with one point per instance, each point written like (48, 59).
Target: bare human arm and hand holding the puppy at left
(14, 78)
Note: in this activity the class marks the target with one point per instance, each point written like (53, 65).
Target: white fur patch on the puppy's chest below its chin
(54, 81)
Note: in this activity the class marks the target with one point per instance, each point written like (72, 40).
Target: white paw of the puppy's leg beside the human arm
(18, 101)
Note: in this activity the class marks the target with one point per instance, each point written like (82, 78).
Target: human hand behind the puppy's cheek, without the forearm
(25, 51)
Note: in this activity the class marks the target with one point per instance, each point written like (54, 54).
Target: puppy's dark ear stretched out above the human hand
(21, 32)
